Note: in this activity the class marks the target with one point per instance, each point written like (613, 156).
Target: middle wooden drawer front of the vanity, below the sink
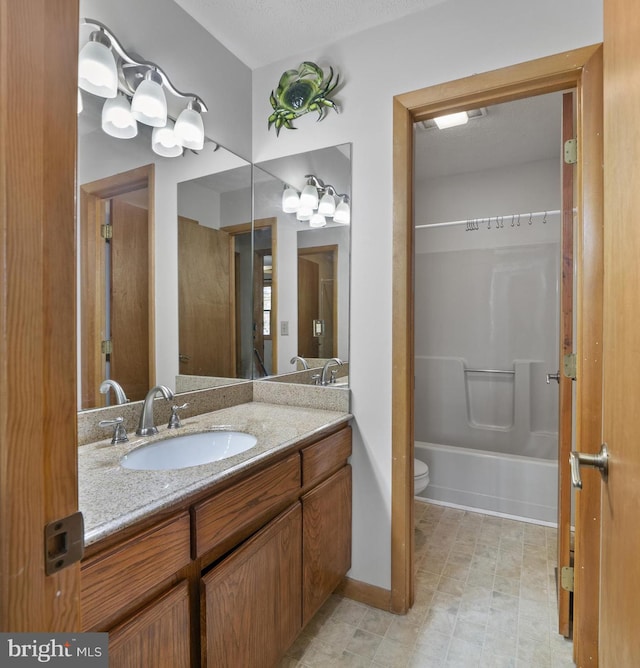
(232, 514)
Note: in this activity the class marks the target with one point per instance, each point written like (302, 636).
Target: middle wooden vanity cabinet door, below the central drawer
(251, 600)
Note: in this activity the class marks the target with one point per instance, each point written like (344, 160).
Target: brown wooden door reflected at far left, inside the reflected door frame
(129, 302)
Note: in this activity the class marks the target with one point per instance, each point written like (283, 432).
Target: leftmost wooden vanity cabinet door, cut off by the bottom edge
(159, 635)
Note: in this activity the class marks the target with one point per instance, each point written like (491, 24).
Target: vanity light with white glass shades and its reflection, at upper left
(106, 70)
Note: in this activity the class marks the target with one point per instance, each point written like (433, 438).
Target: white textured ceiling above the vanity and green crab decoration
(260, 32)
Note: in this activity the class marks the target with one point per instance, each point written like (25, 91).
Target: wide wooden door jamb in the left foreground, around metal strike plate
(38, 449)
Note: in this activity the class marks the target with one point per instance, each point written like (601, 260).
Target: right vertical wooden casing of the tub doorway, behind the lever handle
(589, 354)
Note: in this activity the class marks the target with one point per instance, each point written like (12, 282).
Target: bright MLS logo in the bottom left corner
(89, 650)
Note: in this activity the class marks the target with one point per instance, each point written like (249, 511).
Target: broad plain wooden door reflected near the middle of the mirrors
(205, 312)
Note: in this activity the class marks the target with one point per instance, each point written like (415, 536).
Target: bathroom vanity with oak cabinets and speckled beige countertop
(231, 562)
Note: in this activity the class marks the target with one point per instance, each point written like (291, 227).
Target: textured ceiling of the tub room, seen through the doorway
(511, 133)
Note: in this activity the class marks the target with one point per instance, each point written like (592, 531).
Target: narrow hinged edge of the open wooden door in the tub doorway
(565, 393)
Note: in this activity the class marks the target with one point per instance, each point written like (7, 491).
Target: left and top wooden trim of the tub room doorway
(545, 75)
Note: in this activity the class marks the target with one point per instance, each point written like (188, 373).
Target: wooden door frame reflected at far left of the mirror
(92, 197)
